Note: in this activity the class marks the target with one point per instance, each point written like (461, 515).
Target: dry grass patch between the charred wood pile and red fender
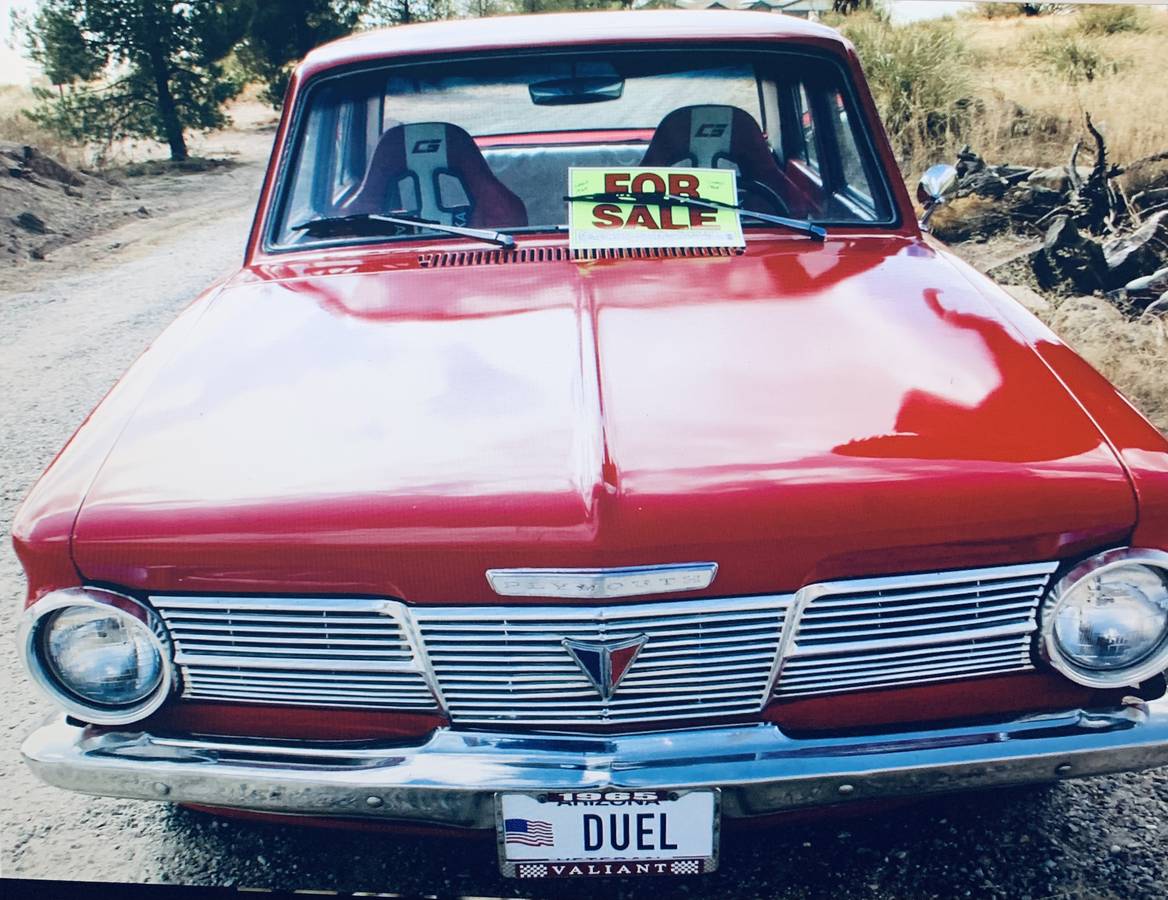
(1132, 354)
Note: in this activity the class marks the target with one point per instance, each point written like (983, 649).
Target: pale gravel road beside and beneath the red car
(66, 334)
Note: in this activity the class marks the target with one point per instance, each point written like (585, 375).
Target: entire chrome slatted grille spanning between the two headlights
(711, 658)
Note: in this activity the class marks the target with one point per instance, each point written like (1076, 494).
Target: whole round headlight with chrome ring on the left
(103, 657)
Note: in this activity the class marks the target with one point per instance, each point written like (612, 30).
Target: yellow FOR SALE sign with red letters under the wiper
(636, 207)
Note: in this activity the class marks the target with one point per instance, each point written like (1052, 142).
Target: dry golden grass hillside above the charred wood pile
(1017, 88)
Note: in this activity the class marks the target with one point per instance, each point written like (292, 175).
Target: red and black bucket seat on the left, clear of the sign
(435, 171)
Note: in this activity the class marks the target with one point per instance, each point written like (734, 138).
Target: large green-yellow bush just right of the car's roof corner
(920, 81)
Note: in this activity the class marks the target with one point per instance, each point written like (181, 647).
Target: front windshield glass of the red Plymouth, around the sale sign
(488, 143)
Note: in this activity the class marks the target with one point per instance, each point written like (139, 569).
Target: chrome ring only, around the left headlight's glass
(32, 647)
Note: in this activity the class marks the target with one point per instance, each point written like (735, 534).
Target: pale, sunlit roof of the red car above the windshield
(564, 30)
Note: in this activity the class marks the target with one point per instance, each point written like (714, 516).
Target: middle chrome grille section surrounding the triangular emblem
(703, 658)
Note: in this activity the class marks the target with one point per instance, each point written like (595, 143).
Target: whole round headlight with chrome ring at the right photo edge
(1106, 625)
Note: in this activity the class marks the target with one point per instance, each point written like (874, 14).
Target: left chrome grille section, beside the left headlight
(296, 651)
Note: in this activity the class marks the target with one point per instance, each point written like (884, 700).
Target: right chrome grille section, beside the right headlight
(885, 632)
